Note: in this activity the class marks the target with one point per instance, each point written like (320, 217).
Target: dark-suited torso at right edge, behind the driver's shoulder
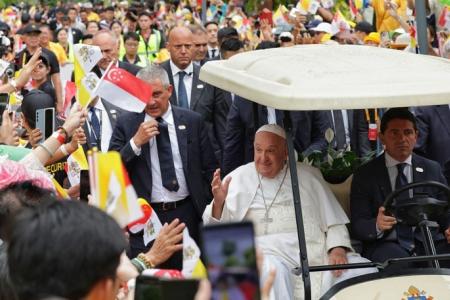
(434, 133)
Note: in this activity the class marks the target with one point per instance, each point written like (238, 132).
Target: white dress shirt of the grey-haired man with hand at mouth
(160, 193)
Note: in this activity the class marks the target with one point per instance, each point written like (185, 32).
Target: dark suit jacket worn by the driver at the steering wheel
(371, 186)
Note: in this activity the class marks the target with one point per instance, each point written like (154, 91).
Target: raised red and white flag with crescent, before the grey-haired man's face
(124, 90)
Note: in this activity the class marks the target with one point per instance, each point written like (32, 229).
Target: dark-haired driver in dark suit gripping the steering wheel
(382, 237)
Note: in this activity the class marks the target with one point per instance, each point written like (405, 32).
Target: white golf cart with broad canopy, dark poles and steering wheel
(325, 77)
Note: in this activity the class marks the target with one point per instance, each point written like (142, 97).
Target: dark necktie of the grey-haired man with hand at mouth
(168, 175)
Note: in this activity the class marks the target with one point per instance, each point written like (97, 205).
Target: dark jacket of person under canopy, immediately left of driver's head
(359, 141)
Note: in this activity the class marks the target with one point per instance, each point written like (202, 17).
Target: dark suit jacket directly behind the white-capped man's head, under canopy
(309, 130)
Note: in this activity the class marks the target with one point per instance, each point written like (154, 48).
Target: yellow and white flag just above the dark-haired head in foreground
(111, 188)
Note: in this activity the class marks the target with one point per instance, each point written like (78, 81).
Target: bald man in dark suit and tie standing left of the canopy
(190, 92)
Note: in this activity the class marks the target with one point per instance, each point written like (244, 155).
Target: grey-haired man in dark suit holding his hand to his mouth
(168, 155)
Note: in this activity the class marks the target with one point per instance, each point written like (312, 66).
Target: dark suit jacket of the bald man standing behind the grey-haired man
(203, 102)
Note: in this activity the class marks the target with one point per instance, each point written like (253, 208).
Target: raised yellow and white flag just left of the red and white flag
(85, 58)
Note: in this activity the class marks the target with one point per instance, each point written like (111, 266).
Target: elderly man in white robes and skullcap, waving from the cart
(261, 191)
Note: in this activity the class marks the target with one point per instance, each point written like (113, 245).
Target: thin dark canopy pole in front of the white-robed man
(304, 270)
